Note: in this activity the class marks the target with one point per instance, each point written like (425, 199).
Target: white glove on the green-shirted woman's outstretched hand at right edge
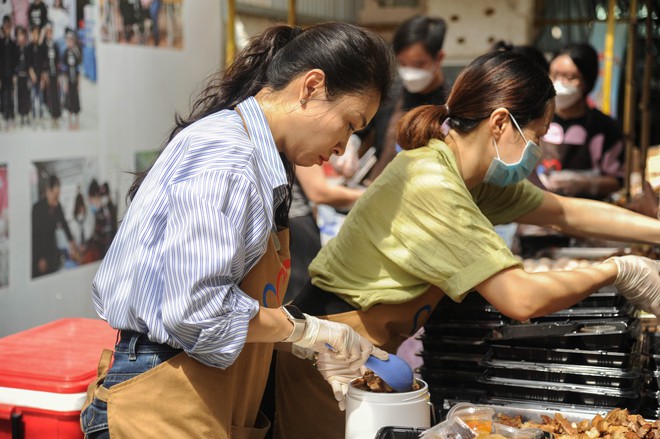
(638, 281)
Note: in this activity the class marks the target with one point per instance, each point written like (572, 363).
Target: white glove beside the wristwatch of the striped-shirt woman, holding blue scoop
(337, 339)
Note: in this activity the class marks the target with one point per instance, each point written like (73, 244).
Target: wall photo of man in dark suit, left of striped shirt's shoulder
(74, 215)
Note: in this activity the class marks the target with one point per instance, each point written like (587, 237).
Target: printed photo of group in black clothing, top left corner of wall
(48, 65)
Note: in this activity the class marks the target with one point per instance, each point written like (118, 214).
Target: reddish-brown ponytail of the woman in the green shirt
(420, 125)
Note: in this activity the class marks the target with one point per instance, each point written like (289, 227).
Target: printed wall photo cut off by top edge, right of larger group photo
(155, 23)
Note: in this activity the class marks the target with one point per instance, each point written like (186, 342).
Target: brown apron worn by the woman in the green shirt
(305, 404)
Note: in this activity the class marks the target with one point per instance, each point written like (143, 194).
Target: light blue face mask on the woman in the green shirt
(503, 174)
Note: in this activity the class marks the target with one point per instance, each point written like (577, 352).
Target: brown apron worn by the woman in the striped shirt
(184, 398)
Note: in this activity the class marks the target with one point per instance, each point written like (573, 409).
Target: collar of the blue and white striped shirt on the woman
(266, 150)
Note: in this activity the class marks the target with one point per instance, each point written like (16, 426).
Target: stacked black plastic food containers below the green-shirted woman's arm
(585, 358)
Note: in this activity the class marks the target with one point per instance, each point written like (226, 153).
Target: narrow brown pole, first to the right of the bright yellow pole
(629, 98)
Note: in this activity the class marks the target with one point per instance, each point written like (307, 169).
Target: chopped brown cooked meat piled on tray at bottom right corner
(617, 424)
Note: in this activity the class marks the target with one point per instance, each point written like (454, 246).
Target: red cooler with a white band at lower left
(44, 373)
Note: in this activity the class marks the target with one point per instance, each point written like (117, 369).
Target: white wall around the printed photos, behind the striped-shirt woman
(139, 89)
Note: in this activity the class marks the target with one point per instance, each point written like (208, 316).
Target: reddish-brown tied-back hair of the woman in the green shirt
(496, 79)
